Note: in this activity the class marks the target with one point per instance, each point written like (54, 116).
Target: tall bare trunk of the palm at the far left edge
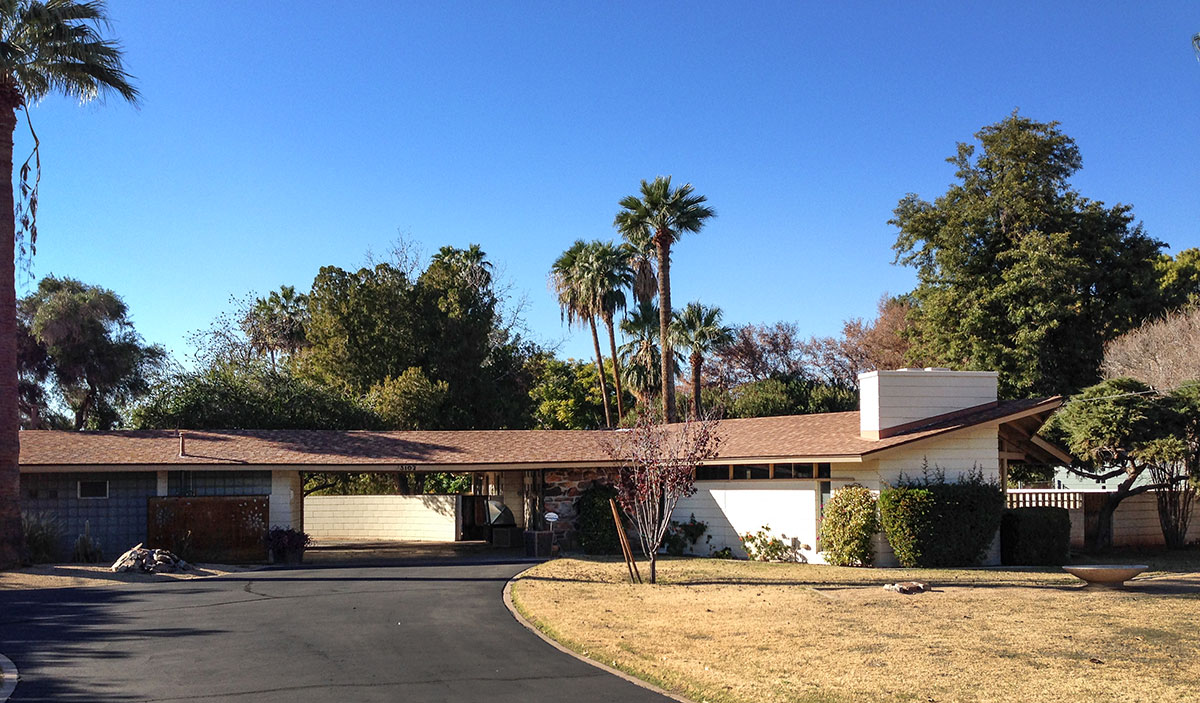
(11, 539)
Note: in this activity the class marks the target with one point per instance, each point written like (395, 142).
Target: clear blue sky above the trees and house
(272, 143)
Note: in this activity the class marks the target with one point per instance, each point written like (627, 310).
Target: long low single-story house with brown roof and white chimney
(776, 472)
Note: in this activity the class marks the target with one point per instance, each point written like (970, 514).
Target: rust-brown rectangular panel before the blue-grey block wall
(214, 528)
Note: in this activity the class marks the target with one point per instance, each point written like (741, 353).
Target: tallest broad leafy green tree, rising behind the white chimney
(1018, 273)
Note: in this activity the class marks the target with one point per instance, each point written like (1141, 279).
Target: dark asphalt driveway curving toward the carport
(411, 634)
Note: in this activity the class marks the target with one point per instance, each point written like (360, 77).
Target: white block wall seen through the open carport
(425, 519)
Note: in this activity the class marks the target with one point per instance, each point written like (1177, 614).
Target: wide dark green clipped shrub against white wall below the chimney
(931, 522)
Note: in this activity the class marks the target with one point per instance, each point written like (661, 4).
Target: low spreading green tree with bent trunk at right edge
(1123, 429)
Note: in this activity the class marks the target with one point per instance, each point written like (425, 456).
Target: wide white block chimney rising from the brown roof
(892, 401)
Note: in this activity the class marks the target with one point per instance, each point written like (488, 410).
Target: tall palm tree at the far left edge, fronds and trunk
(52, 46)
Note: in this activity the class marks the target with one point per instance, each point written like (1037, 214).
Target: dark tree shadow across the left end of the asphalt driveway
(49, 633)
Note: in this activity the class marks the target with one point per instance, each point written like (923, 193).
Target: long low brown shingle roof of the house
(831, 435)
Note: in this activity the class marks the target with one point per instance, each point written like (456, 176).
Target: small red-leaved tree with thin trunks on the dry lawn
(658, 467)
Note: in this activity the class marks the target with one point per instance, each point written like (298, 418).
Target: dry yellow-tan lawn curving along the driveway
(739, 632)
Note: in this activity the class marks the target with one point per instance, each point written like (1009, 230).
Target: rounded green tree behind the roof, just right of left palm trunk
(87, 344)
